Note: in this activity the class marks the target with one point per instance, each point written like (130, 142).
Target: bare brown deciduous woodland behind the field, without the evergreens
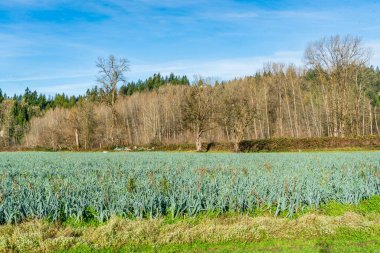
(283, 104)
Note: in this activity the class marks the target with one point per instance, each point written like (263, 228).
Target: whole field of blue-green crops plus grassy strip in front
(190, 202)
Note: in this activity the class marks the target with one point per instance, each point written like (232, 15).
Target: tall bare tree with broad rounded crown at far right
(339, 61)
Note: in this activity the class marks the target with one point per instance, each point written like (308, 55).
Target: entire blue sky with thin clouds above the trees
(51, 45)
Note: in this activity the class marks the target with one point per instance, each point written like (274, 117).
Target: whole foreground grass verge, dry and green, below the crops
(349, 232)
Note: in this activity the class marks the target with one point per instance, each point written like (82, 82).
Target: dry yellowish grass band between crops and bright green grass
(40, 236)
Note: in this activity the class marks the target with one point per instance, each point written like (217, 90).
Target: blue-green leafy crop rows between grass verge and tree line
(58, 186)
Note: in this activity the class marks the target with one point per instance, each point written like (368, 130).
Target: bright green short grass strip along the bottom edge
(323, 245)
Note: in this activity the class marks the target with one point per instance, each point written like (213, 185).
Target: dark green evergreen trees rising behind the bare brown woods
(17, 111)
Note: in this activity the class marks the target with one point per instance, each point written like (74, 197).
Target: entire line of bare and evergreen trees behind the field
(335, 94)
